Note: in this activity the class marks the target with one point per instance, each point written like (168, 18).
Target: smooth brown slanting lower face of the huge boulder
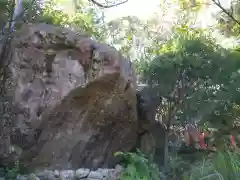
(87, 127)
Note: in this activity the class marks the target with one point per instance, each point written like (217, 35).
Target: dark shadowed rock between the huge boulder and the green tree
(156, 131)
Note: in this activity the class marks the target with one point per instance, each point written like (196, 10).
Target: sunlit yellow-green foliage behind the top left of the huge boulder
(84, 20)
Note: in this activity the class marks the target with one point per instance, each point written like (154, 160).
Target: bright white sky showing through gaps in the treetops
(145, 9)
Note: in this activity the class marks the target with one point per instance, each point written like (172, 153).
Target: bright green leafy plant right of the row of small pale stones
(137, 166)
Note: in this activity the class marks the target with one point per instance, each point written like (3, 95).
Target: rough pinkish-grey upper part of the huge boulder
(48, 62)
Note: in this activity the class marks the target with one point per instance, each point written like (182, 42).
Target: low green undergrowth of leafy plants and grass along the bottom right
(219, 166)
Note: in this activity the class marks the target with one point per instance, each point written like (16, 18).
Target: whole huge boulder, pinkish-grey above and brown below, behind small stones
(74, 100)
